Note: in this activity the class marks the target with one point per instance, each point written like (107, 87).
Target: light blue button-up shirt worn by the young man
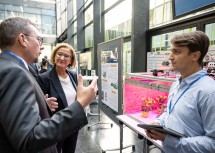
(192, 115)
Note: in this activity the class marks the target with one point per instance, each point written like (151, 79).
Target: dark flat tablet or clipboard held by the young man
(160, 128)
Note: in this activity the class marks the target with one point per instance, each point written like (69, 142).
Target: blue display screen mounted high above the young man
(185, 7)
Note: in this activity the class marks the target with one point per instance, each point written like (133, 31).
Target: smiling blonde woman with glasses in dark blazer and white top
(60, 82)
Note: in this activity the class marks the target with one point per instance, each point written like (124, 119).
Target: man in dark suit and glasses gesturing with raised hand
(25, 123)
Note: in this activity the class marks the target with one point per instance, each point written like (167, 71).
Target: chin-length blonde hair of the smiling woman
(64, 45)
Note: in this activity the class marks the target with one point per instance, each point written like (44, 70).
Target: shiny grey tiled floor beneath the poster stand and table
(102, 137)
